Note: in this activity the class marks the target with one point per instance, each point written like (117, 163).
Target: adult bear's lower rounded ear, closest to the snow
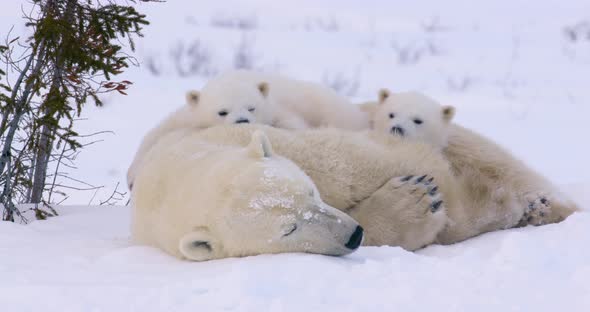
(199, 245)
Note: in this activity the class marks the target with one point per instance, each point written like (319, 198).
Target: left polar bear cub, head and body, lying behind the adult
(243, 96)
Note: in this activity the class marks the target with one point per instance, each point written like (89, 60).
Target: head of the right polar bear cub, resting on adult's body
(412, 115)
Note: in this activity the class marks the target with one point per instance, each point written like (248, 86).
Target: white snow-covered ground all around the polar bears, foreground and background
(510, 67)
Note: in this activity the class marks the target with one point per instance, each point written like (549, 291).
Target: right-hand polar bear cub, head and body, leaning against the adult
(505, 192)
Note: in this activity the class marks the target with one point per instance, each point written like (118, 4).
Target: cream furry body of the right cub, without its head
(503, 190)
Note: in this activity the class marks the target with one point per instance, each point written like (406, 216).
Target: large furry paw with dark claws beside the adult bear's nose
(406, 211)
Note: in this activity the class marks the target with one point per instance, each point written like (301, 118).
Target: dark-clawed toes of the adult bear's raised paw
(423, 189)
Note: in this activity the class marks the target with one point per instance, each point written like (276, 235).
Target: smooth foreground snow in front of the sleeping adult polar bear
(83, 261)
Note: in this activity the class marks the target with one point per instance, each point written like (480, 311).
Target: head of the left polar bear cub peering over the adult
(235, 103)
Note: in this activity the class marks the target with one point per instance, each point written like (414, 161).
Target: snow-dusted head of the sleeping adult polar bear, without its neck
(269, 206)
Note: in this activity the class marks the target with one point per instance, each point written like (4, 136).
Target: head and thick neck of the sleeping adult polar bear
(200, 200)
